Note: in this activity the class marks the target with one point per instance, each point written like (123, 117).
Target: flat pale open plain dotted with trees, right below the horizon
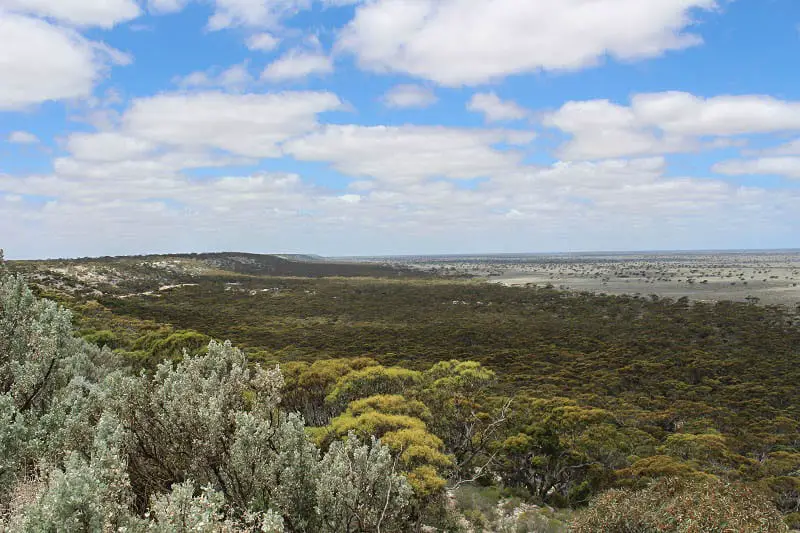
(767, 277)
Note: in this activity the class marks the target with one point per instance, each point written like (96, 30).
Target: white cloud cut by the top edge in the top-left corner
(103, 13)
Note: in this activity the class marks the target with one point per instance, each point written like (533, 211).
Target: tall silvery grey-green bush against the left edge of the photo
(46, 380)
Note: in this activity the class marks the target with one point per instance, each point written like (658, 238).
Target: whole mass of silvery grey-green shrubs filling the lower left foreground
(198, 446)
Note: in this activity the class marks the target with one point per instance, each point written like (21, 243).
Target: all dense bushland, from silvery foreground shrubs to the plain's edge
(479, 392)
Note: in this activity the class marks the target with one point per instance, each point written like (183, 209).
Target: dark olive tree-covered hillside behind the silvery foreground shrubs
(606, 391)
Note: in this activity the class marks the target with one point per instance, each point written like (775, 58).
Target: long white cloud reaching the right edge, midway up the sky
(667, 122)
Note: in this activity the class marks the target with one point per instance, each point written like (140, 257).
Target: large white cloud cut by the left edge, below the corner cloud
(40, 62)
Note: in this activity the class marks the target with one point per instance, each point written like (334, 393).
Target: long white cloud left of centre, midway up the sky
(251, 125)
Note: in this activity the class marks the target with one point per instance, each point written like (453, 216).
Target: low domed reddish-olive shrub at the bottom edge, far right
(680, 505)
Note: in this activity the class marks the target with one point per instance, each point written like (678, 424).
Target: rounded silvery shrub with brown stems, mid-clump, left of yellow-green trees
(186, 422)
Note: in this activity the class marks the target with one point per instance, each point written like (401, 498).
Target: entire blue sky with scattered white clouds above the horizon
(387, 127)
